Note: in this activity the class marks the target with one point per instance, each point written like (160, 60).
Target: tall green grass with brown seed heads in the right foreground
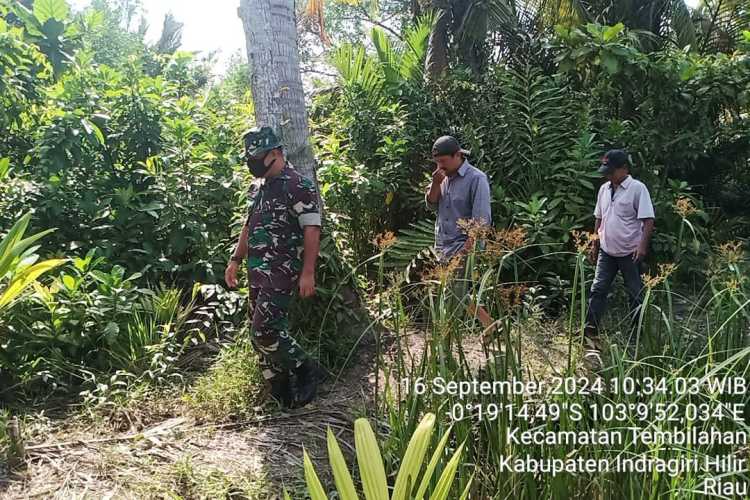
(709, 342)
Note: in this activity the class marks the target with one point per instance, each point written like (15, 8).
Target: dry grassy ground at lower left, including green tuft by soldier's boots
(212, 438)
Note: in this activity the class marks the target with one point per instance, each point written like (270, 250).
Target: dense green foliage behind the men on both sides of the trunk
(131, 151)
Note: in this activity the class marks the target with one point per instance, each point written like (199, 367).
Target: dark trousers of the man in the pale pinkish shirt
(607, 267)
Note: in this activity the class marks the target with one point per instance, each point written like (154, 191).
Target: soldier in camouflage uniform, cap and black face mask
(281, 240)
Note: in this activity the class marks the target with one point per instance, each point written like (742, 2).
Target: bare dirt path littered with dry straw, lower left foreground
(181, 458)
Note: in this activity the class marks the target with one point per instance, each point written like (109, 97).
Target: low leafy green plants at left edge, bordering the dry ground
(96, 319)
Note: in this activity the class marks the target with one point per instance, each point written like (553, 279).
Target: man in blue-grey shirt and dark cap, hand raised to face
(458, 191)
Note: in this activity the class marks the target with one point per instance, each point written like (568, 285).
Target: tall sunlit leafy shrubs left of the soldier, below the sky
(137, 159)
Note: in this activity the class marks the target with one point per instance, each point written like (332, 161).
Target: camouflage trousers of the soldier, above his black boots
(268, 314)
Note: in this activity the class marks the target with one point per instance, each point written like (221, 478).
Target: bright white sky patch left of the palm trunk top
(208, 25)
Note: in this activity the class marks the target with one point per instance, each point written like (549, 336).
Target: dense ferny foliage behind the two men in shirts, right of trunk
(537, 125)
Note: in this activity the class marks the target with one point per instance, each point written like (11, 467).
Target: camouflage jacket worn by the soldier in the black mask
(279, 209)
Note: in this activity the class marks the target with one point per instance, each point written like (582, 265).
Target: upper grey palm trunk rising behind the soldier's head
(275, 79)
